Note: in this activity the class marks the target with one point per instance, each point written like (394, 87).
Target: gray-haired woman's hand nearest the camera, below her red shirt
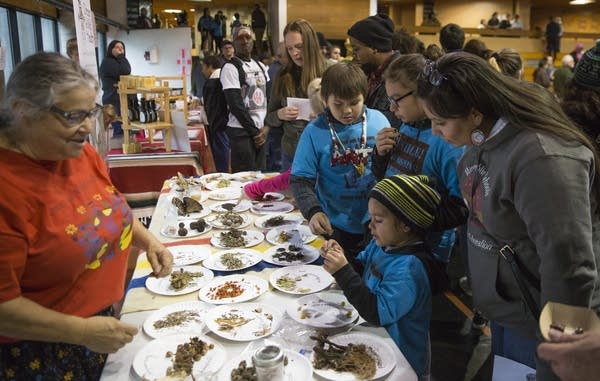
(104, 334)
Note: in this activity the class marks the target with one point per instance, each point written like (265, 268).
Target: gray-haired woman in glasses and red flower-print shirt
(65, 231)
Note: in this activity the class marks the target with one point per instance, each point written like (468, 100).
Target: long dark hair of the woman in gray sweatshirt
(468, 82)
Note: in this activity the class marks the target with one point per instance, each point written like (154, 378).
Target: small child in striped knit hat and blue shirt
(394, 291)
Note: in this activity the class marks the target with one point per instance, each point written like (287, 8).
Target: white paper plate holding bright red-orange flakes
(252, 287)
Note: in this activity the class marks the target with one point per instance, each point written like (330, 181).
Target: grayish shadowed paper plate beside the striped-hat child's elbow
(323, 310)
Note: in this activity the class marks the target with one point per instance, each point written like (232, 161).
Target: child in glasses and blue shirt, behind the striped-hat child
(411, 148)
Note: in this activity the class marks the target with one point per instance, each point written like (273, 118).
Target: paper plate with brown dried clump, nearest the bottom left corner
(179, 357)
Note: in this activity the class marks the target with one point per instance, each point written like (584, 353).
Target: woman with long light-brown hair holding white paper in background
(305, 63)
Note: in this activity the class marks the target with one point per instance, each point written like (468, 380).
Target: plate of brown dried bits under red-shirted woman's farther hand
(182, 280)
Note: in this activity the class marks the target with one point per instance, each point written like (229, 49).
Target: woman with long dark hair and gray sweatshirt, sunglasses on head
(529, 177)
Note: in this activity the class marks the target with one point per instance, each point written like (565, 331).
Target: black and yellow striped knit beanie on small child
(409, 198)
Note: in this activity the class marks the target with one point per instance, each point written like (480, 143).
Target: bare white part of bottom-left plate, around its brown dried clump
(151, 363)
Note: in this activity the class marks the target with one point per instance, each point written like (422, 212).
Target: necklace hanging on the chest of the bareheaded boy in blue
(358, 157)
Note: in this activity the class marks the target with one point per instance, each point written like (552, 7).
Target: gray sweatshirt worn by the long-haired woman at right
(536, 193)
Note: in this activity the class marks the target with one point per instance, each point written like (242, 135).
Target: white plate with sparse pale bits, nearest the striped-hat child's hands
(303, 279)
